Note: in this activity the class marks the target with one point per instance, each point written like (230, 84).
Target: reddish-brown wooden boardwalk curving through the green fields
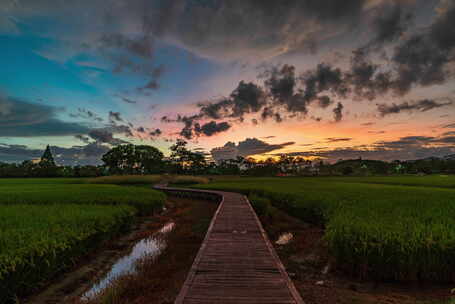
(236, 262)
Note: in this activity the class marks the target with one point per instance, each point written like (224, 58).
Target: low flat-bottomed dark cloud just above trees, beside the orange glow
(250, 146)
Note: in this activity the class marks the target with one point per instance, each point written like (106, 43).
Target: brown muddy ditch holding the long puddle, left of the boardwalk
(190, 220)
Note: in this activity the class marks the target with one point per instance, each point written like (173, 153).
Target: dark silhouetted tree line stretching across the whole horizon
(144, 159)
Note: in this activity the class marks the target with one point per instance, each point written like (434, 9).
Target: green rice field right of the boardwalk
(375, 227)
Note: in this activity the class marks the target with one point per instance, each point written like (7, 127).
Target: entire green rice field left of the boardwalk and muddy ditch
(47, 224)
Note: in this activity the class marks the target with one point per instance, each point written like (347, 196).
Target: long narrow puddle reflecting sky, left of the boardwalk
(151, 246)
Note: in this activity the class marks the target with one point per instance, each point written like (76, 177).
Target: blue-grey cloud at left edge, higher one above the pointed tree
(20, 118)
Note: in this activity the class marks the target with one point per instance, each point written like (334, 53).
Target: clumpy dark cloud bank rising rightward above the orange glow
(283, 90)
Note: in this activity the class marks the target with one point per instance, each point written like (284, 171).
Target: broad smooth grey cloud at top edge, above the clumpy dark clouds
(207, 26)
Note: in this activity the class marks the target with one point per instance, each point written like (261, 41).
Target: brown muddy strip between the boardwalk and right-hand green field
(304, 253)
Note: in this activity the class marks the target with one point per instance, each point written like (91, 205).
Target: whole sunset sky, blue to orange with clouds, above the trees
(327, 78)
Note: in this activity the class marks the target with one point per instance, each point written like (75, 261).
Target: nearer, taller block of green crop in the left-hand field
(37, 241)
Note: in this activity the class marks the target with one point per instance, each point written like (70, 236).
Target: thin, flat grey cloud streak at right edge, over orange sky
(420, 106)
